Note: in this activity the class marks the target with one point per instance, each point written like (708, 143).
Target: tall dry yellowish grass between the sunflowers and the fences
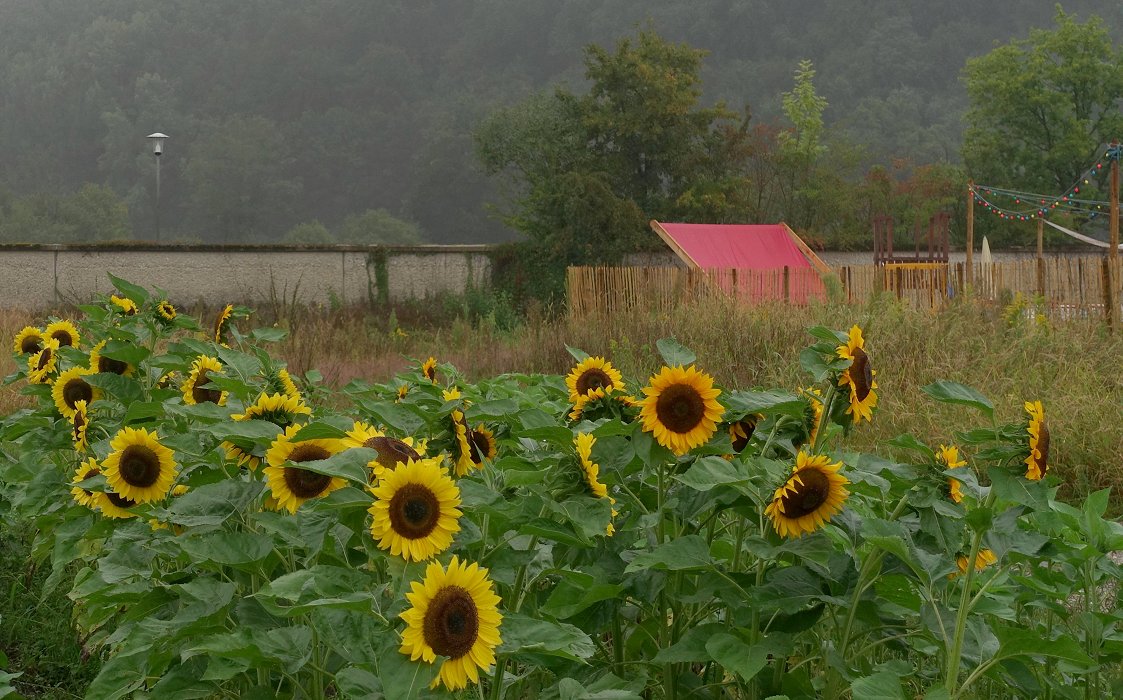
(1070, 367)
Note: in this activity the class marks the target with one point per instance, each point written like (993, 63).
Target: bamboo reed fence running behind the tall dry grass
(1066, 287)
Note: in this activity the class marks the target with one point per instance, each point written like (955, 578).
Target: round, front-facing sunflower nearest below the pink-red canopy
(681, 408)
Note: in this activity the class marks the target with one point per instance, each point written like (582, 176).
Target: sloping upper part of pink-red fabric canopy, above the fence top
(764, 247)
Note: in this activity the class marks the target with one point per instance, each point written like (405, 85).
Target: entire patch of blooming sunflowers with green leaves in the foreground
(226, 530)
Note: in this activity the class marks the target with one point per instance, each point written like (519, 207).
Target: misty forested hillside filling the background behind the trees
(360, 115)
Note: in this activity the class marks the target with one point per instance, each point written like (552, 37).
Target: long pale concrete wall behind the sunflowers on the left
(35, 277)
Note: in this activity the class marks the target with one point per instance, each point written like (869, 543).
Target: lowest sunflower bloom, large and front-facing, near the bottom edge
(454, 614)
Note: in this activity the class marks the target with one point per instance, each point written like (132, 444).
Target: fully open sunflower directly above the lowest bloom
(416, 511)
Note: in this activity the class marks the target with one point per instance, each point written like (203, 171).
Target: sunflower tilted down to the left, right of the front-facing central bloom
(809, 498)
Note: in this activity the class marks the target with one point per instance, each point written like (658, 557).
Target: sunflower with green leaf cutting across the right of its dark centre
(293, 486)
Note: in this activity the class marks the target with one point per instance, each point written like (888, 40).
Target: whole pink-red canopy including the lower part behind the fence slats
(746, 247)
